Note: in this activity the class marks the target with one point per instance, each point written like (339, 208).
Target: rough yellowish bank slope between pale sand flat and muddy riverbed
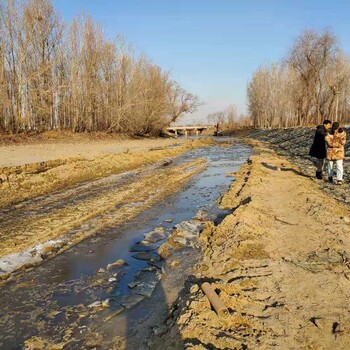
(27, 181)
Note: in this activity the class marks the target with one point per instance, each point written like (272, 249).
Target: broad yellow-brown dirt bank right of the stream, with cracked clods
(280, 263)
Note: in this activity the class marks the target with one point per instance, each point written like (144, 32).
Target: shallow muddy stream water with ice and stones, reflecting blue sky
(59, 302)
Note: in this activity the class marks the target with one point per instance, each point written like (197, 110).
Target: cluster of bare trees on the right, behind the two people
(311, 84)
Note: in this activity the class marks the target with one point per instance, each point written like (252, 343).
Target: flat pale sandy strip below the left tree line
(12, 155)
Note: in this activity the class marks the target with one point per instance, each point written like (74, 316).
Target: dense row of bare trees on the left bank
(55, 76)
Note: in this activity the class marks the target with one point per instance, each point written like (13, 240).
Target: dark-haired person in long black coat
(318, 148)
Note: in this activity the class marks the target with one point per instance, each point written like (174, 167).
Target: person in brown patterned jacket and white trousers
(335, 152)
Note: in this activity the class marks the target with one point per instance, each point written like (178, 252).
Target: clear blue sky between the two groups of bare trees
(212, 47)
